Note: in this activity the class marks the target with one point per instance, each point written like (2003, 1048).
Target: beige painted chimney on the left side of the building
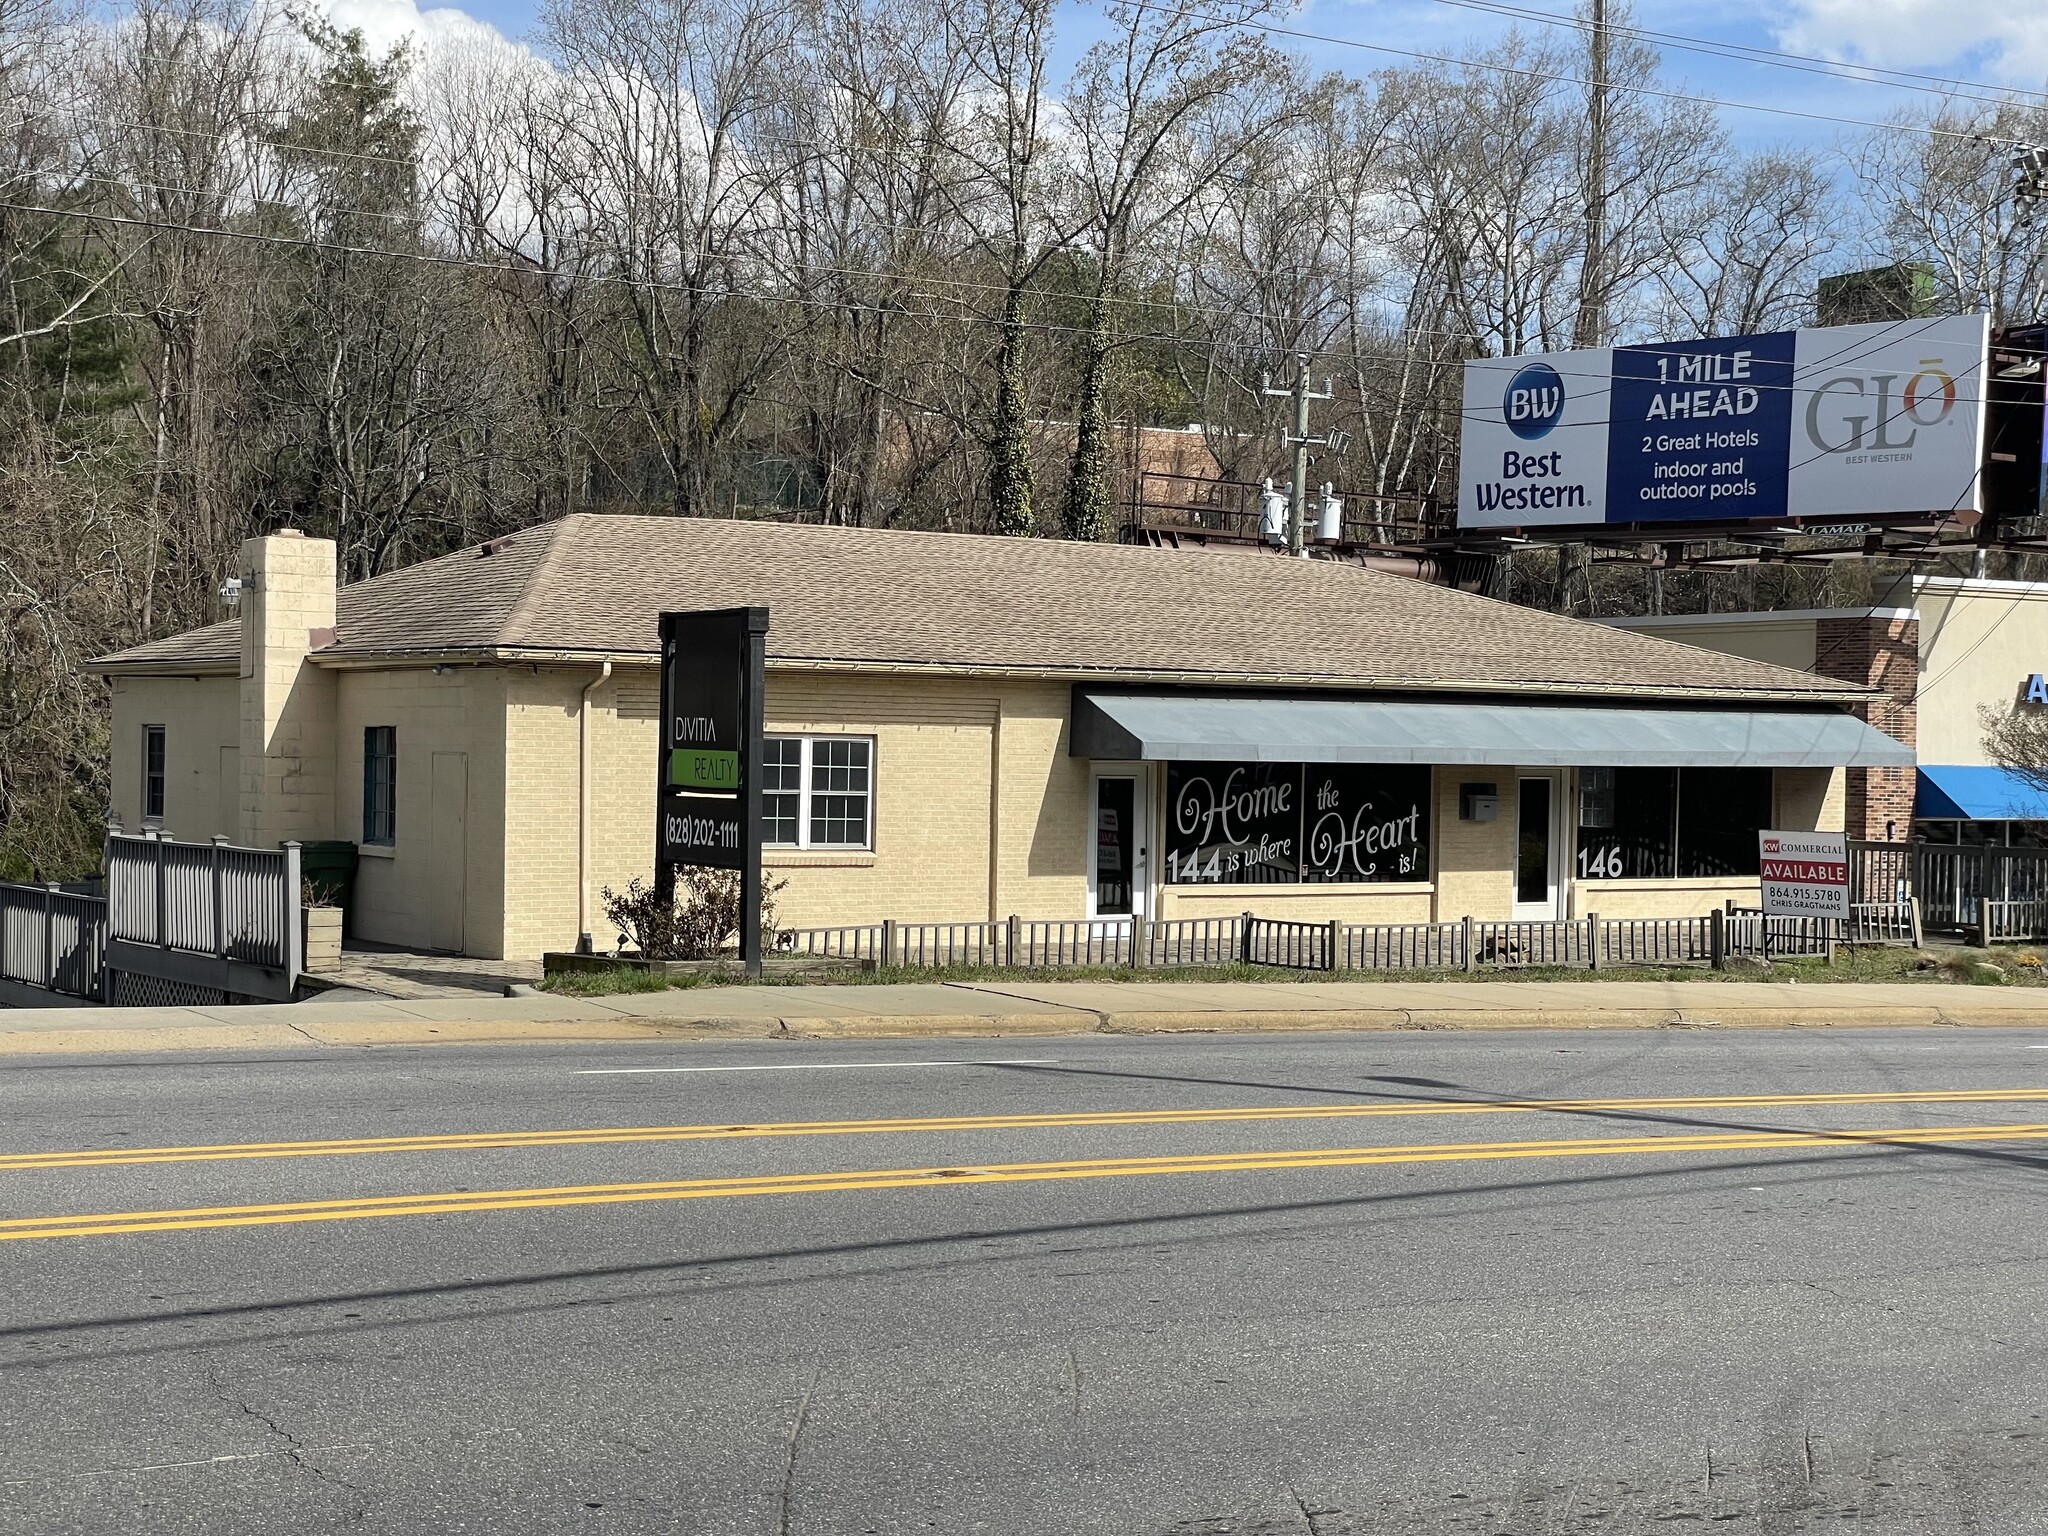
(288, 706)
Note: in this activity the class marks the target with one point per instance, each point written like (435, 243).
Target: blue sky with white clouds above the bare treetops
(1996, 42)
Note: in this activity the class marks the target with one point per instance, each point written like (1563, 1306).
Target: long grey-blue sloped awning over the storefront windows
(1218, 728)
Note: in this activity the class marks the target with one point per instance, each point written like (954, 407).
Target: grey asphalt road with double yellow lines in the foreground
(642, 1289)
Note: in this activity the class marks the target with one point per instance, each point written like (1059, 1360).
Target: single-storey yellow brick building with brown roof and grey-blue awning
(972, 728)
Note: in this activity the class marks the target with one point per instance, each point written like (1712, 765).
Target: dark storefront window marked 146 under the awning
(1658, 824)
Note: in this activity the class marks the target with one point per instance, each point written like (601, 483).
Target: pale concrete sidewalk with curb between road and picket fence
(1017, 1009)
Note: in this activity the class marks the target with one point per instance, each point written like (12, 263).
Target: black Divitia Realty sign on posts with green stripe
(708, 794)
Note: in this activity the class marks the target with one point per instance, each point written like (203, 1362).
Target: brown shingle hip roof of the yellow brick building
(595, 585)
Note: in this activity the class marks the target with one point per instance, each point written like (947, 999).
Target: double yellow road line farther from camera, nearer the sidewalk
(628, 1136)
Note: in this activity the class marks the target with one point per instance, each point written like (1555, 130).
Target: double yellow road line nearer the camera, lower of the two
(898, 1179)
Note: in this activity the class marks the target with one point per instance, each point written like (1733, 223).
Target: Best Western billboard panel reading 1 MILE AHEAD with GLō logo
(1842, 423)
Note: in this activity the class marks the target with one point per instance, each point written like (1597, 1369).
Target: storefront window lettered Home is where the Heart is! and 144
(1279, 824)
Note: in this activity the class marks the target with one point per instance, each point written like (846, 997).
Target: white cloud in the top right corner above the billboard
(2002, 42)
